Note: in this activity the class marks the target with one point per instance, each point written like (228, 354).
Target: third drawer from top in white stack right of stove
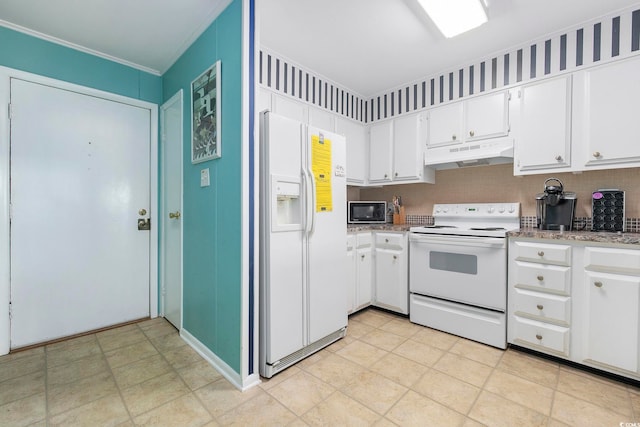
(544, 307)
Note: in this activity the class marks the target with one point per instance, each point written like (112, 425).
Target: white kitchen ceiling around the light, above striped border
(370, 46)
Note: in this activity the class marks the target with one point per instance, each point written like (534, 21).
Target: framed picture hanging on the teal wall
(205, 115)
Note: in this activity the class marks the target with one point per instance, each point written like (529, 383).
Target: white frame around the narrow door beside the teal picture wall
(177, 98)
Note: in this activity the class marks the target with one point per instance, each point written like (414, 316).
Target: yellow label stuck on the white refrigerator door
(321, 169)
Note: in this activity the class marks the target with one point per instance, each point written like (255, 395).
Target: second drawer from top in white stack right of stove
(543, 278)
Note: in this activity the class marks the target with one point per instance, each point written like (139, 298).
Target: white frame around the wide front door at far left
(5, 261)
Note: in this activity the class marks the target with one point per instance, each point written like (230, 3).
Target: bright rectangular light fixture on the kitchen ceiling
(455, 17)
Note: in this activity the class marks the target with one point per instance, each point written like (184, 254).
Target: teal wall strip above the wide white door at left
(26, 53)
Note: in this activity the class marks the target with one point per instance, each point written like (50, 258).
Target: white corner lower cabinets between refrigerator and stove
(379, 270)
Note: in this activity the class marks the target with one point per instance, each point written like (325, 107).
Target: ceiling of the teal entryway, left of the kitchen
(147, 34)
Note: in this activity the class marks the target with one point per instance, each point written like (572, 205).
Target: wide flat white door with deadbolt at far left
(80, 183)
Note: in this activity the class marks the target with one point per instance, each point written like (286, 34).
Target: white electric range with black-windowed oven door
(458, 270)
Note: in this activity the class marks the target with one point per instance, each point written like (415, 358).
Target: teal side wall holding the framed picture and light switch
(212, 281)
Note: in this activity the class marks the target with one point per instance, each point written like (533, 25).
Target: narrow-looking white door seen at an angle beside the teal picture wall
(171, 124)
